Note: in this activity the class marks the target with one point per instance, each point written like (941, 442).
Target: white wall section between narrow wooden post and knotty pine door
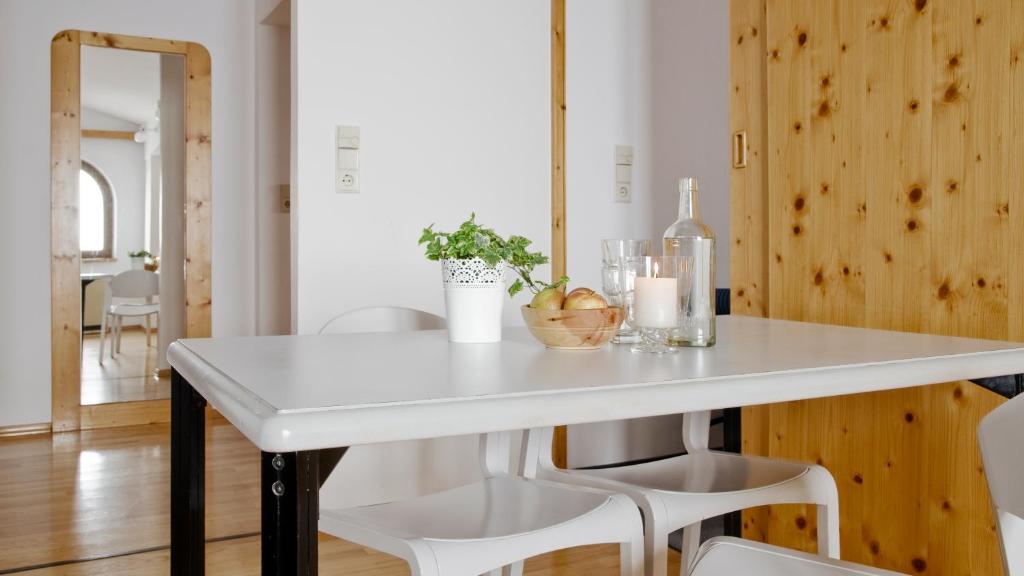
(653, 74)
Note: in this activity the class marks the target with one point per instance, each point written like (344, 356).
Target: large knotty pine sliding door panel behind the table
(893, 137)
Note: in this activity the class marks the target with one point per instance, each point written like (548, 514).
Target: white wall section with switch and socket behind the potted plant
(453, 100)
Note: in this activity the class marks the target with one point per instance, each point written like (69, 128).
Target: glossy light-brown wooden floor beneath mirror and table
(98, 503)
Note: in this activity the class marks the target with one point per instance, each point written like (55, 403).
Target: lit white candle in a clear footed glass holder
(657, 301)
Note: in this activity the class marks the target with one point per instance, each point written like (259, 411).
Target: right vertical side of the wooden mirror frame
(199, 189)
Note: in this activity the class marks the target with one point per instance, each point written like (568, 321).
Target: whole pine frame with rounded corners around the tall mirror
(66, 296)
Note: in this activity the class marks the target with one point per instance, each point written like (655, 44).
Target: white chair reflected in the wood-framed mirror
(129, 295)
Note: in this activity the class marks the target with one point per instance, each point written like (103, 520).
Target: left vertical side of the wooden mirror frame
(66, 287)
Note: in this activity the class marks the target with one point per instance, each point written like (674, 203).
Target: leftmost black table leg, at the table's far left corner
(188, 479)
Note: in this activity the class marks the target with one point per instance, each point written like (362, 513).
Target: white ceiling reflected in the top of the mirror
(121, 84)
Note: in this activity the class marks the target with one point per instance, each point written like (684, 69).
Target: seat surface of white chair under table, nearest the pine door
(703, 473)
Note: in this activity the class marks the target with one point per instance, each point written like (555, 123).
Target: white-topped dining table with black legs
(303, 399)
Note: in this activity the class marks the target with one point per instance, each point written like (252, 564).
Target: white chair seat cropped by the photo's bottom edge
(734, 557)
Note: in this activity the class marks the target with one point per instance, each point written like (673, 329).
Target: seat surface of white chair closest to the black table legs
(495, 508)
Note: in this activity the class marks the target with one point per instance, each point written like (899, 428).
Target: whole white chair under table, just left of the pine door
(682, 491)
